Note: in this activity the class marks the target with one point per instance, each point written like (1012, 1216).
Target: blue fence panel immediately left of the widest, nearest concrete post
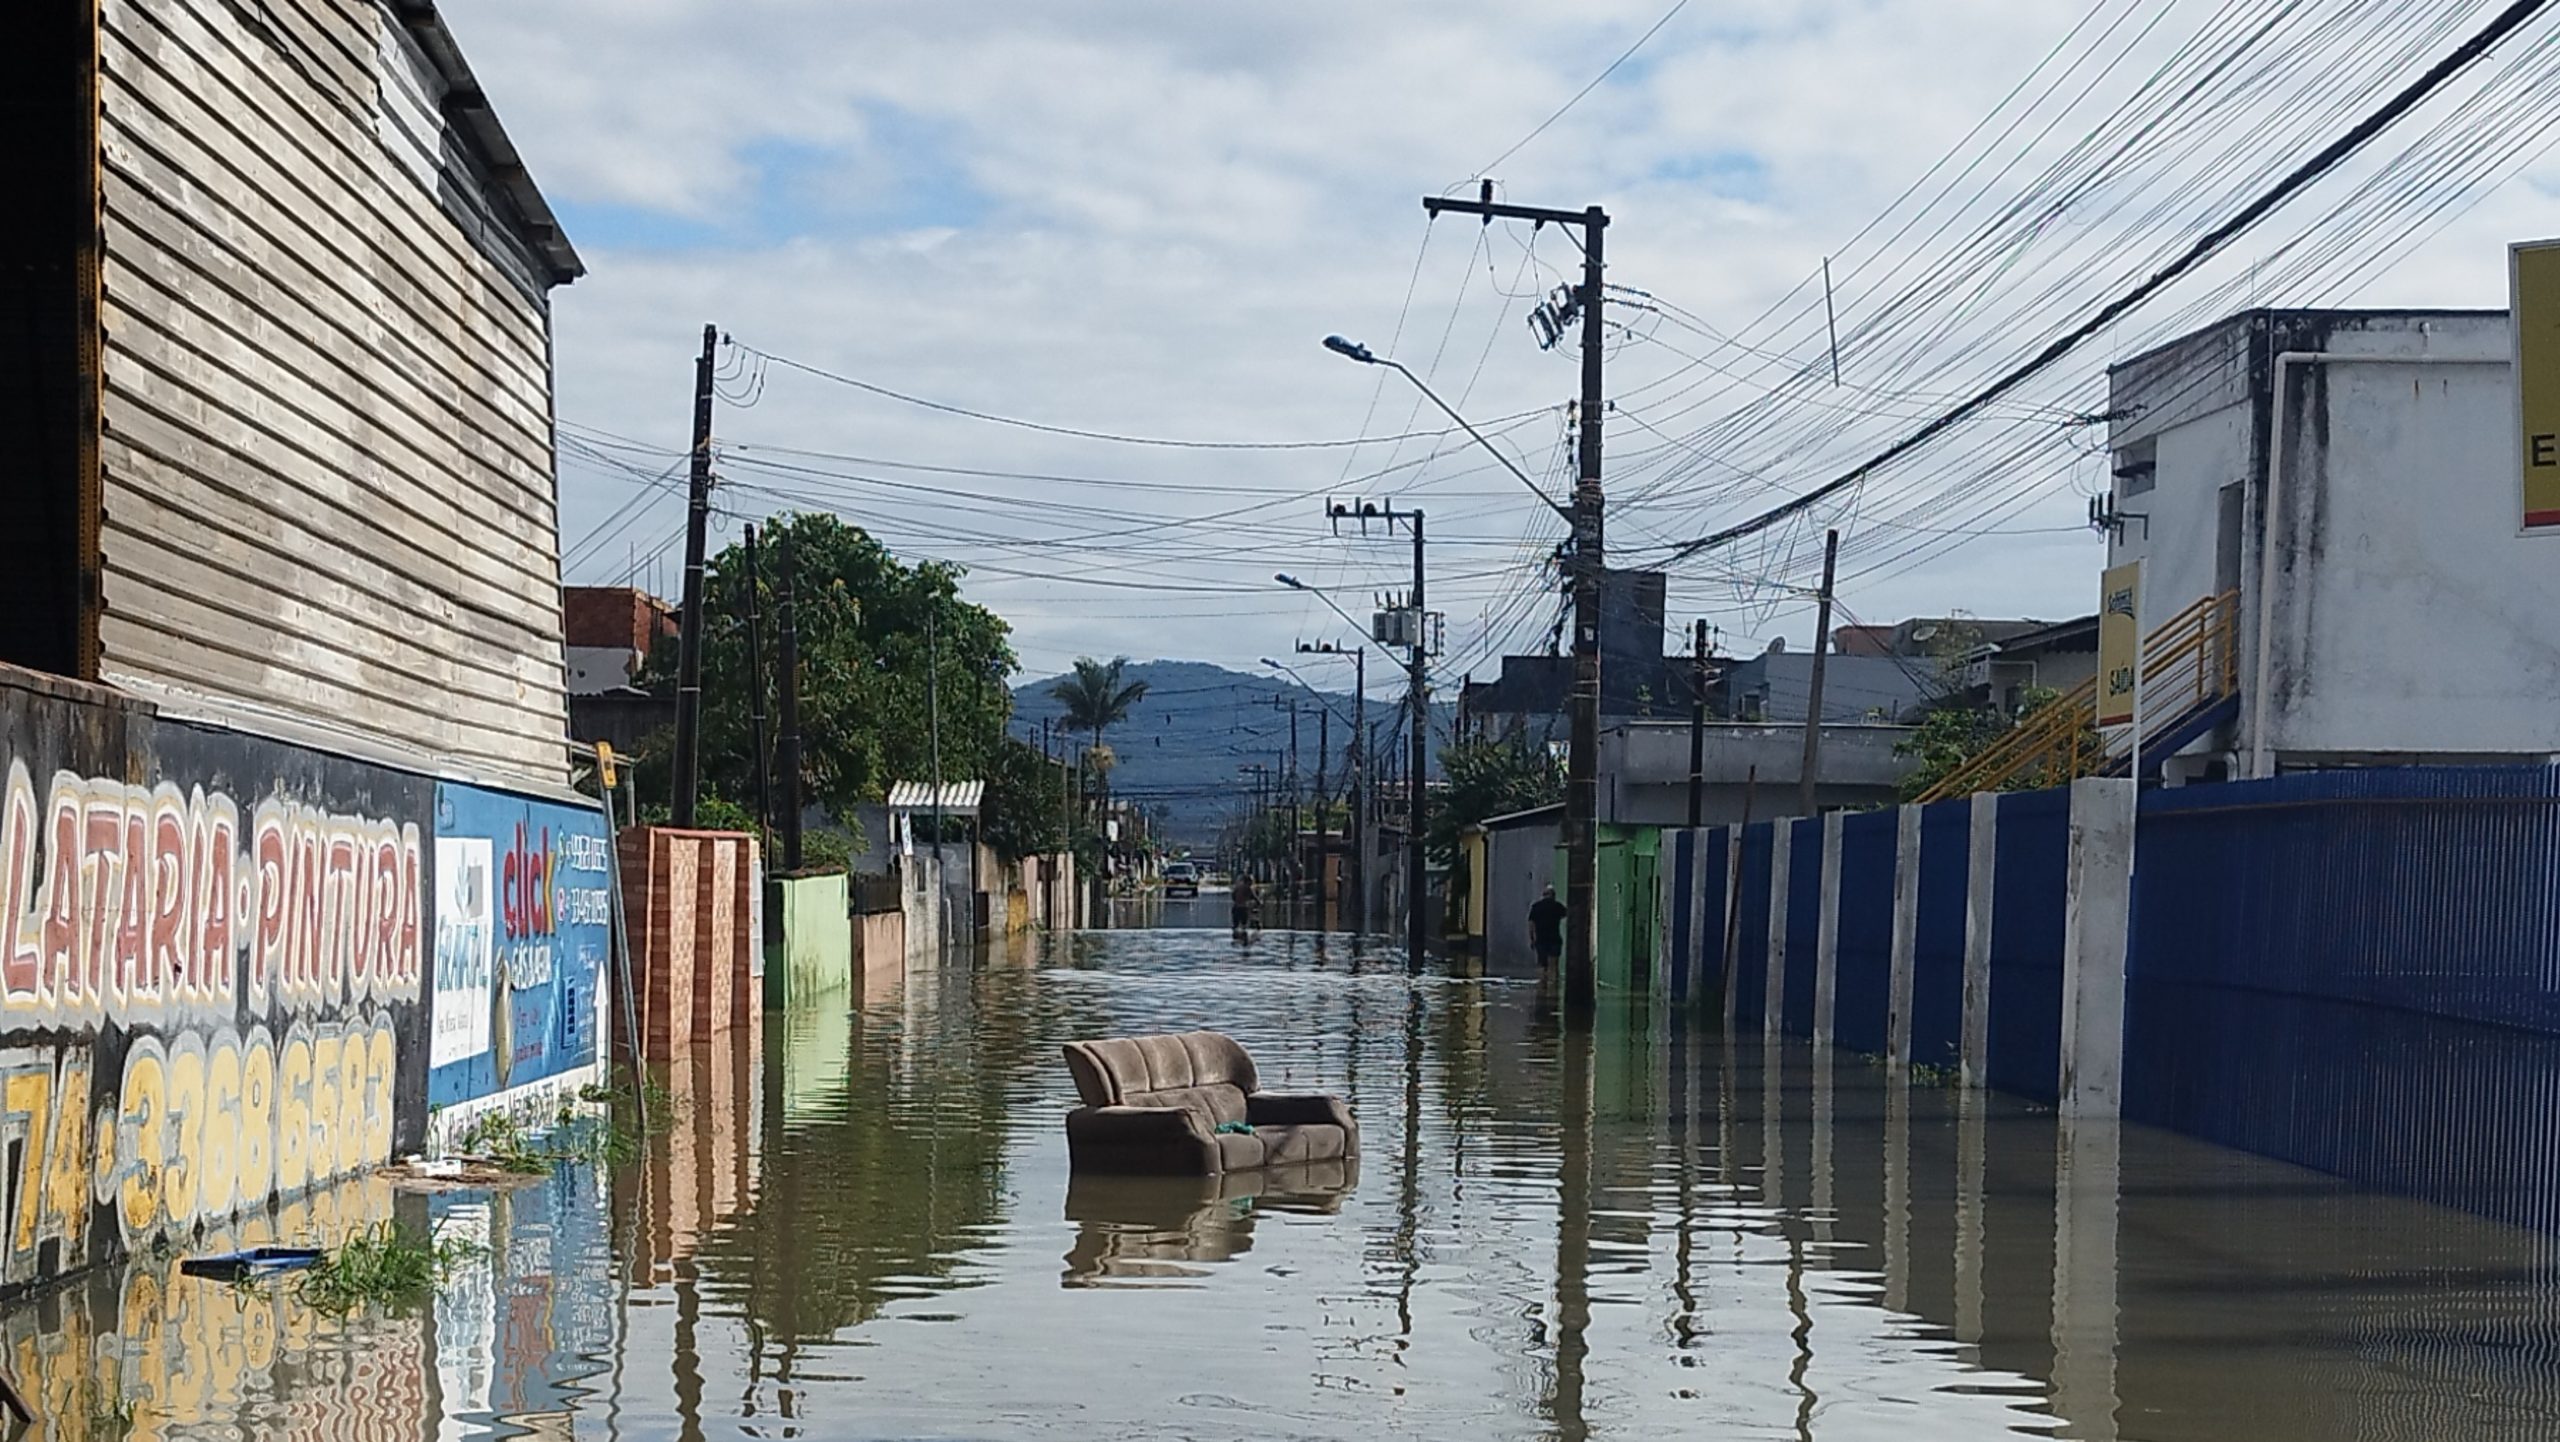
(2026, 1008)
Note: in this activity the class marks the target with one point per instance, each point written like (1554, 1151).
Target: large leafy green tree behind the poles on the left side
(879, 642)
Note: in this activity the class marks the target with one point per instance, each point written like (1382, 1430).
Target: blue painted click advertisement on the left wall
(524, 921)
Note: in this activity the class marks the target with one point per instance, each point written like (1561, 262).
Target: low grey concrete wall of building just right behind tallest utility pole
(1645, 770)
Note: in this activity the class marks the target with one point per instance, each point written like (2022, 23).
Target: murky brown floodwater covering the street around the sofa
(867, 1228)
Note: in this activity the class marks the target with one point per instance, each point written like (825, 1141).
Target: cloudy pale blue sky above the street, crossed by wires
(1138, 219)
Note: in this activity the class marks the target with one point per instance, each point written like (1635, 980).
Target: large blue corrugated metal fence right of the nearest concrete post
(2359, 972)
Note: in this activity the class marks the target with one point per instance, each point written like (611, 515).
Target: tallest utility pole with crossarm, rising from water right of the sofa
(1591, 575)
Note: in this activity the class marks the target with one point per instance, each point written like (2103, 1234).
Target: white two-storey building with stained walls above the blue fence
(2392, 611)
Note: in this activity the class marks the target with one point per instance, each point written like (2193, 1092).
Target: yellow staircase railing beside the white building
(2188, 665)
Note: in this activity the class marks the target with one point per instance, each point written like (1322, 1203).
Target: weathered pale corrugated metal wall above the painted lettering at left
(329, 478)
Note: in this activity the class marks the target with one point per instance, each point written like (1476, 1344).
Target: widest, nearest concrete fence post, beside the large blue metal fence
(2098, 911)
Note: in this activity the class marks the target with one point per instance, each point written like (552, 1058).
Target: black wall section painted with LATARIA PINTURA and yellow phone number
(211, 954)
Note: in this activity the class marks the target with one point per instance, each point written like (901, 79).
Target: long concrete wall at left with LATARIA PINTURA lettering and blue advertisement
(237, 969)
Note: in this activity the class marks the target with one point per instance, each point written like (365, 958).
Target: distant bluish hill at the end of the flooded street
(1187, 744)
